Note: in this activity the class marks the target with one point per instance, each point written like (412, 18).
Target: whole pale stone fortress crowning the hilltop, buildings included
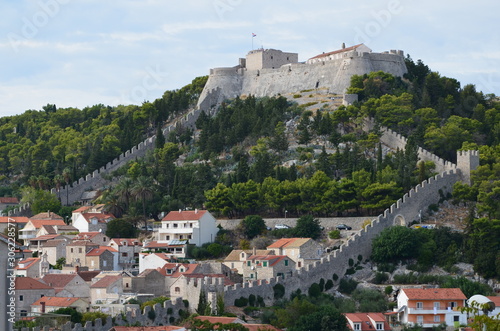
(269, 72)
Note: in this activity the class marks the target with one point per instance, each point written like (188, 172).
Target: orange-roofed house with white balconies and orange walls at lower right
(431, 307)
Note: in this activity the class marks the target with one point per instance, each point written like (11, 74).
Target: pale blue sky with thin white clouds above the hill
(80, 53)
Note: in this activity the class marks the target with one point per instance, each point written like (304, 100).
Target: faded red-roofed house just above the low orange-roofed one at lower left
(67, 285)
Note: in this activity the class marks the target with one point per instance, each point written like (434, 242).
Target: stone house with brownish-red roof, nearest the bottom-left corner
(29, 290)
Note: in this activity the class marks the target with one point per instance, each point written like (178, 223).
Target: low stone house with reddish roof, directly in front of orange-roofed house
(267, 266)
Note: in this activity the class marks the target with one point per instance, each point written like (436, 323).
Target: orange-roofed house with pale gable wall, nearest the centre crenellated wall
(302, 251)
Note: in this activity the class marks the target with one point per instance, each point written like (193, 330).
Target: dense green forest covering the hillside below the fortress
(269, 156)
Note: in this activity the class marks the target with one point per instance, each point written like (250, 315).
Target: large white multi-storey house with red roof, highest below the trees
(196, 226)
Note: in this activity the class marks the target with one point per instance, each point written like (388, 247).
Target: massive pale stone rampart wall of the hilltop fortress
(334, 74)
